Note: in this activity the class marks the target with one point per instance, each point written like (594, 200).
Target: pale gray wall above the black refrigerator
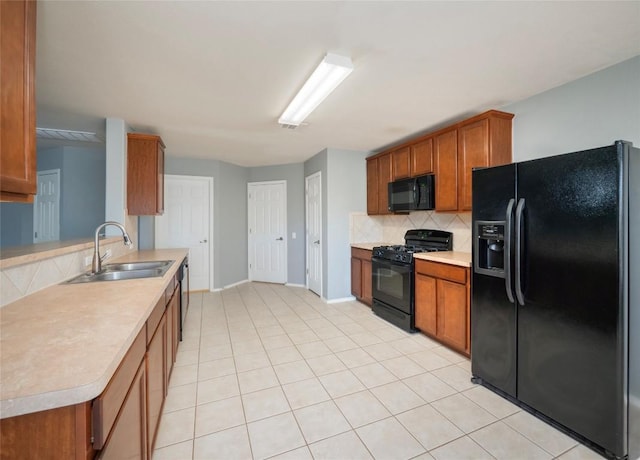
(593, 111)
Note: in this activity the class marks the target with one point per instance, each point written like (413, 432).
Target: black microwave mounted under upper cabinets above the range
(415, 194)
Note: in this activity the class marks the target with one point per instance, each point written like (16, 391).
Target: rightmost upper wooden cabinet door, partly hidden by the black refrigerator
(473, 152)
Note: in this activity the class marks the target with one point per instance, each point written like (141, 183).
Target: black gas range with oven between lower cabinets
(393, 274)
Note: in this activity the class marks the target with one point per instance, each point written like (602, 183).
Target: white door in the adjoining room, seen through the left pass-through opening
(46, 207)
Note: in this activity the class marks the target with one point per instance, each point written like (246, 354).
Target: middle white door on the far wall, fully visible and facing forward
(268, 231)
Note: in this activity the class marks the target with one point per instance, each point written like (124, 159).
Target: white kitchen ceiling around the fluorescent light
(212, 78)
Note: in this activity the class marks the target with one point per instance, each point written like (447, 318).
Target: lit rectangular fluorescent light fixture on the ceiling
(327, 76)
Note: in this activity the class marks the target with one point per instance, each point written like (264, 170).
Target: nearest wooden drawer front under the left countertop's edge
(108, 404)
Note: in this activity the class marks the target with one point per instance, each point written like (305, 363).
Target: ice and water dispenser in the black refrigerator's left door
(489, 248)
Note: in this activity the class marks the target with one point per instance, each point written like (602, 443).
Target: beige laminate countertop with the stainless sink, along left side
(61, 345)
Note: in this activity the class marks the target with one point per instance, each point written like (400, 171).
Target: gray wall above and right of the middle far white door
(293, 174)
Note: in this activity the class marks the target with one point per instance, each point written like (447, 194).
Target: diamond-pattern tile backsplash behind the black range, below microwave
(391, 229)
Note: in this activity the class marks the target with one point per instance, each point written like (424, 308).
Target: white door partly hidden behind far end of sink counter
(187, 222)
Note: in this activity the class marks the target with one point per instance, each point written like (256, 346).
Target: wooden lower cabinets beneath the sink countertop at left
(122, 422)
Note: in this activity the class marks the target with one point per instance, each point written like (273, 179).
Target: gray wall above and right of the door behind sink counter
(229, 217)
